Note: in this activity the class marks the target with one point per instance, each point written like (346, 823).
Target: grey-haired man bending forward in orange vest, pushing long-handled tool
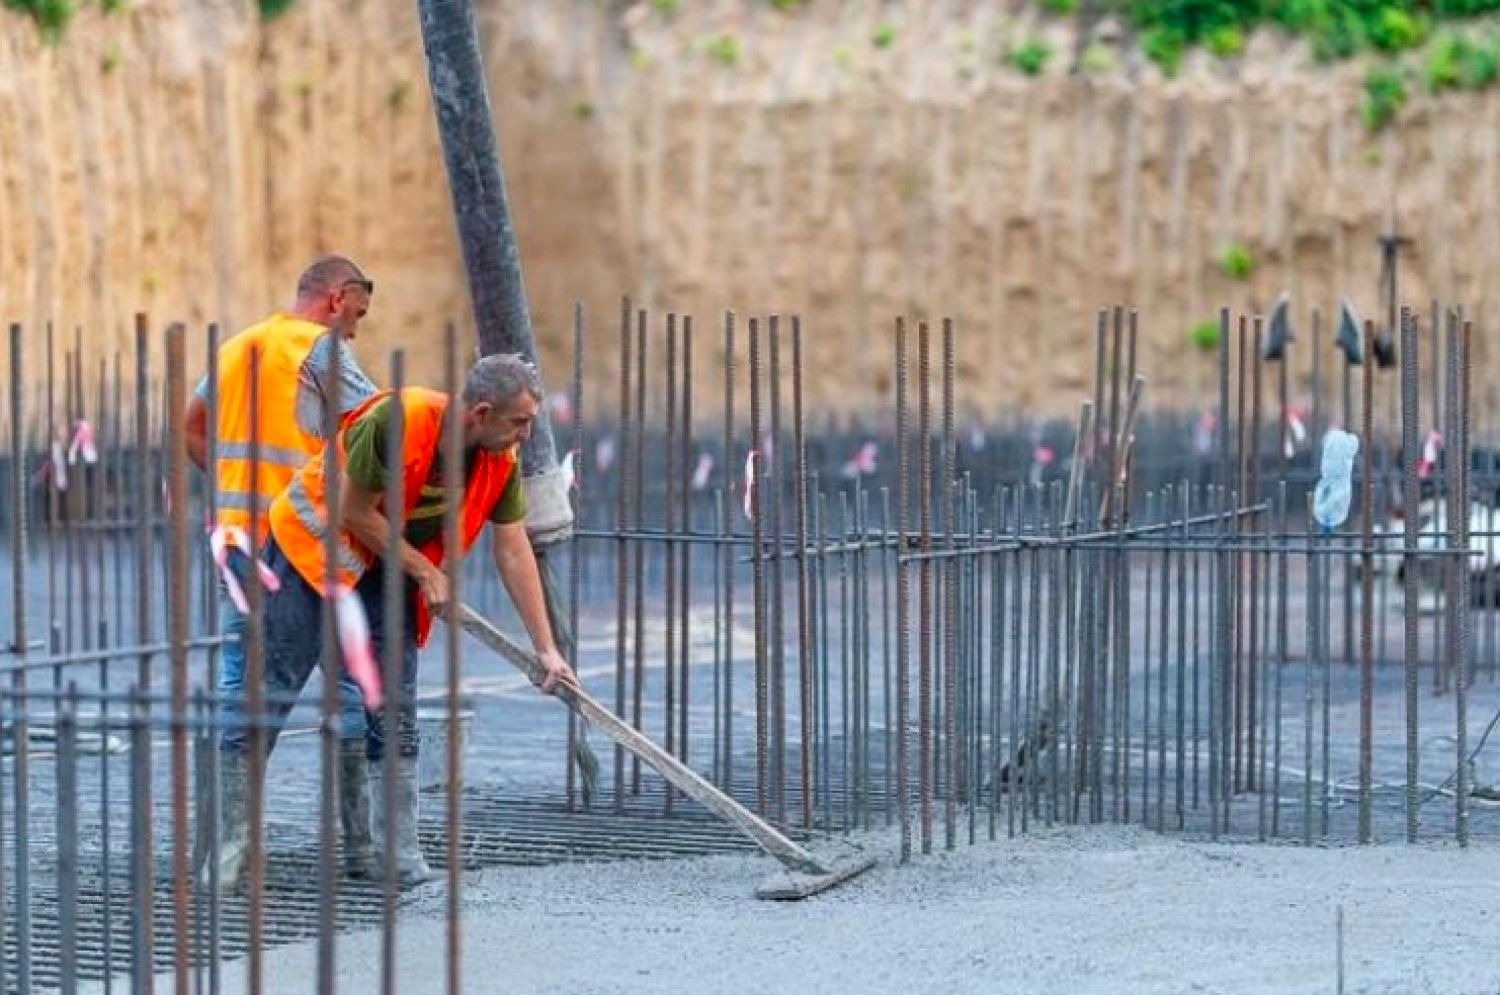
(499, 407)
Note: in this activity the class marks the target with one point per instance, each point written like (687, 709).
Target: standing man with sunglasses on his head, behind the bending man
(296, 367)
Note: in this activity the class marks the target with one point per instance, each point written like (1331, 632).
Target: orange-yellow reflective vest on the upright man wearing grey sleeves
(284, 343)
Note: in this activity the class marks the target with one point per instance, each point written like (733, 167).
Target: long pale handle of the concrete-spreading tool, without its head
(683, 778)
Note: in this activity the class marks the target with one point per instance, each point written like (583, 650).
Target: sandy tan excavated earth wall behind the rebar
(185, 160)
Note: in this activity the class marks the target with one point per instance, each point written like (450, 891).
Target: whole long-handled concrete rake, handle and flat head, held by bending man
(806, 876)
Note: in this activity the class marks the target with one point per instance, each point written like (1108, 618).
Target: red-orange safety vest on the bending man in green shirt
(299, 516)
